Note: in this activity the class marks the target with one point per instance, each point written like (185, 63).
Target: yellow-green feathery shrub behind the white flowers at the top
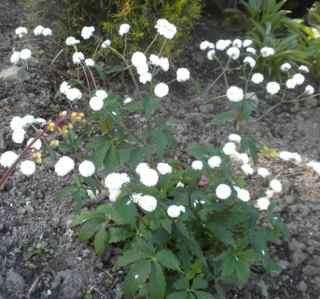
(71, 15)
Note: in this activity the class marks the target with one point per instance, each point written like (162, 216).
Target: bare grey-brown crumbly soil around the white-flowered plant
(41, 258)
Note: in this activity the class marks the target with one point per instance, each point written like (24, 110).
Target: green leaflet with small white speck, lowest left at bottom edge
(138, 274)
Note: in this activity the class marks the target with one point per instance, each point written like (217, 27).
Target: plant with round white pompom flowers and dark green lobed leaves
(184, 227)
